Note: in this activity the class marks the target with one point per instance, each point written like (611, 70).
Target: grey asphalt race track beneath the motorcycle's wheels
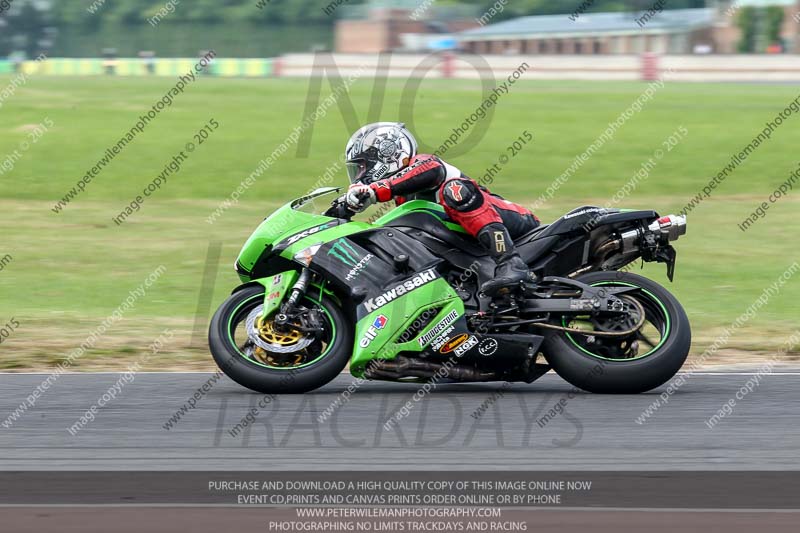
(455, 427)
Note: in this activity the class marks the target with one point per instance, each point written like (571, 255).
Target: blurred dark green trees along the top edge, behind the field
(34, 26)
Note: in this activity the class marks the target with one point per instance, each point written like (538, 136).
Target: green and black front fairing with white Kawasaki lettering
(387, 304)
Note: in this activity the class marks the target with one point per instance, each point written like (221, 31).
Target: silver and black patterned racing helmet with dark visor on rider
(377, 151)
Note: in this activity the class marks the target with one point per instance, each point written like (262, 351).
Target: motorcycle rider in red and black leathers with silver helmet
(383, 165)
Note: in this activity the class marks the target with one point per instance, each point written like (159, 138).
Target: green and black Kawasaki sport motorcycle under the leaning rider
(399, 300)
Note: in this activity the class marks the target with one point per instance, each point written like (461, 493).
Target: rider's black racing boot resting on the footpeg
(511, 270)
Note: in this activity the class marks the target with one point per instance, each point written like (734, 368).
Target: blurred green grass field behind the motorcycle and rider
(68, 271)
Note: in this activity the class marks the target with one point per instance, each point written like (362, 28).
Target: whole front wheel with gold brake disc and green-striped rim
(278, 360)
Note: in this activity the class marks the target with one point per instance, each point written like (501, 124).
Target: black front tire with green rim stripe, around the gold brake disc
(233, 359)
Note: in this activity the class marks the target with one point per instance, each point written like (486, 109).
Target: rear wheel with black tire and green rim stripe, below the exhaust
(599, 369)
